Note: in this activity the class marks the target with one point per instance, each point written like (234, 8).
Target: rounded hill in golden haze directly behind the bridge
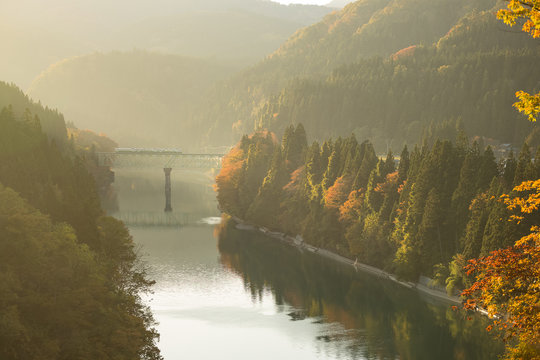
(137, 98)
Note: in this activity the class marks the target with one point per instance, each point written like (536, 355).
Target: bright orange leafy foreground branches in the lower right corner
(508, 280)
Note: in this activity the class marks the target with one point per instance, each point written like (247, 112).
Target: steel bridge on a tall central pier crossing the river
(166, 159)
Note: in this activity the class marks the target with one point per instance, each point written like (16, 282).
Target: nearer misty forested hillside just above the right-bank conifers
(470, 77)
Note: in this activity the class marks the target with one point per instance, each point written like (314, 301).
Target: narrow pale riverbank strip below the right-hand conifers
(299, 243)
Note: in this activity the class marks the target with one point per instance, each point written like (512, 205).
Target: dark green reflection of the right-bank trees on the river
(381, 319)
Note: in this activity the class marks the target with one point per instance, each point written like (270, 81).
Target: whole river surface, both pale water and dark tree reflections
(222, 293)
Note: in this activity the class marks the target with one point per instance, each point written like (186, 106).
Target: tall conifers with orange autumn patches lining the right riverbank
(427, 215)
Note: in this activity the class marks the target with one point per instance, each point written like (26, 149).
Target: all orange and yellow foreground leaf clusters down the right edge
(508, 280)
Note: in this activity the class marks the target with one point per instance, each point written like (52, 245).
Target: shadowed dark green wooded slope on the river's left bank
(71, 281)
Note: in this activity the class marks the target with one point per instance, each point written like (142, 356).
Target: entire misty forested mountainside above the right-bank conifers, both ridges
(475, 61)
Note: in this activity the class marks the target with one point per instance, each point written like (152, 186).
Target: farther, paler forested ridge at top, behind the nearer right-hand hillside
(365, 28)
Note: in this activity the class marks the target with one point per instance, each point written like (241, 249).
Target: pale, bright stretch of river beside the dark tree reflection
(204, 311)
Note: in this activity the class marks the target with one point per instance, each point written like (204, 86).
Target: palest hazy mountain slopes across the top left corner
(47, 32)
